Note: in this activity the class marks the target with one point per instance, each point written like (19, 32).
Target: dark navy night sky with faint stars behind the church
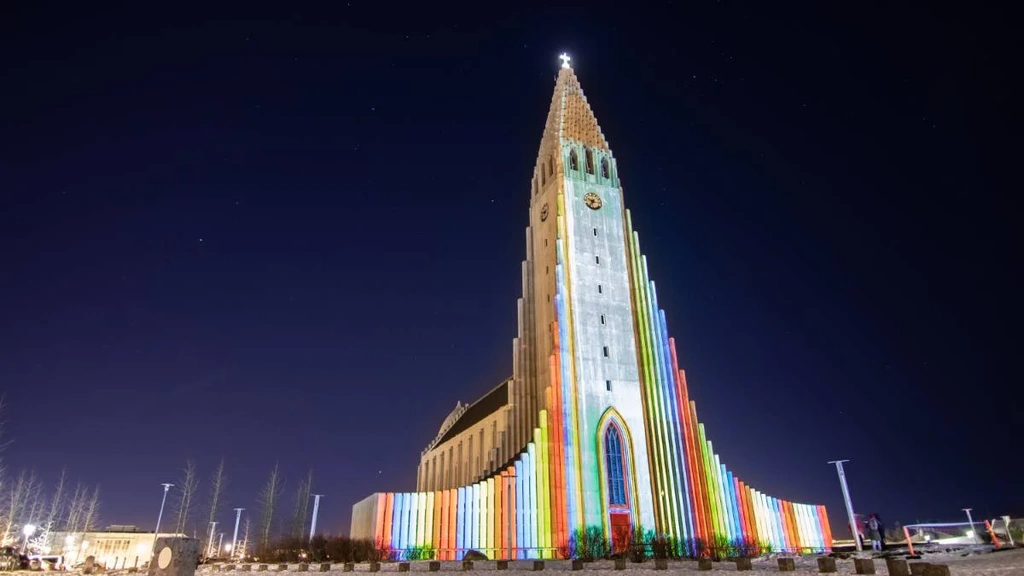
(294, 235)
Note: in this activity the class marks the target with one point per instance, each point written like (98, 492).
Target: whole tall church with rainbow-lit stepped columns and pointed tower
(595, 427)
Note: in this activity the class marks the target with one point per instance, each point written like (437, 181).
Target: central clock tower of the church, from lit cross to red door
(579, 339)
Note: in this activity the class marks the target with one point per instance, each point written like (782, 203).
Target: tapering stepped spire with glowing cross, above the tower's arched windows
(570, 118)
